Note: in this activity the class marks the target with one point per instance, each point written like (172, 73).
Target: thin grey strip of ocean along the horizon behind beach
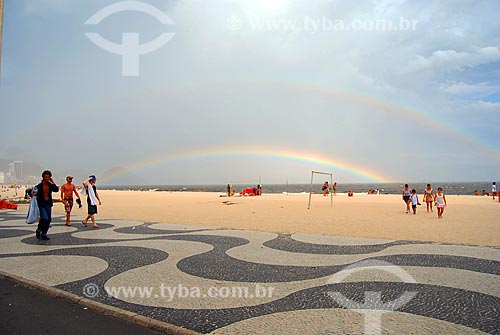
(465, 188)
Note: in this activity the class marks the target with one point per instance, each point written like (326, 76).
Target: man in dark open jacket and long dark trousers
(43, 193)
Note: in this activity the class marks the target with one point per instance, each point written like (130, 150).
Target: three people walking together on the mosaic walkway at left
(43, 194)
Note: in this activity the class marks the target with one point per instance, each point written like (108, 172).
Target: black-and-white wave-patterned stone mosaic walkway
(247, 282)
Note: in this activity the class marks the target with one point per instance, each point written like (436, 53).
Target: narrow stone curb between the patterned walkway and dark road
(99, 307)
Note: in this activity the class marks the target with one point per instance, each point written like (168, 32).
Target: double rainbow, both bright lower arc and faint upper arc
(416, 115)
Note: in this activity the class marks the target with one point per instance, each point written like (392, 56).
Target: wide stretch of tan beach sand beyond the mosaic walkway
(467, 219)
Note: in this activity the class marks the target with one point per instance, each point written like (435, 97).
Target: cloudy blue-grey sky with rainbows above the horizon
(370, 91)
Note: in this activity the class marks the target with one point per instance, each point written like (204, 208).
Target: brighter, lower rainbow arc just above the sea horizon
(316, 159)
